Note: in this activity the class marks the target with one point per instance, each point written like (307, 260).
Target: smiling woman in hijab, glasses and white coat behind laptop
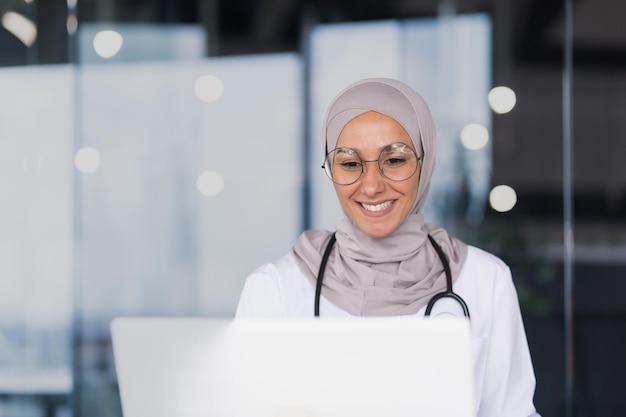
(380, 143)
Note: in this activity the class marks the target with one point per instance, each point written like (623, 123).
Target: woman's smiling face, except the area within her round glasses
(376, 204)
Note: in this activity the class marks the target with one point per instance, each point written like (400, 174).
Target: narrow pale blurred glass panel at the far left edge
(36, 238)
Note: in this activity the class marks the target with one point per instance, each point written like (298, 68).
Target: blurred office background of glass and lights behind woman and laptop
(153, 153)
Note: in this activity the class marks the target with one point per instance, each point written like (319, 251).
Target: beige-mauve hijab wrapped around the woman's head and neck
(399, 273)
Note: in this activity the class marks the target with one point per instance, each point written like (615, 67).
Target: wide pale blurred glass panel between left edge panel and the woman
(174, 211)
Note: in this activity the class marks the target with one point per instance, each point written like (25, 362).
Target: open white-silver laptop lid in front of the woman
(207, 367)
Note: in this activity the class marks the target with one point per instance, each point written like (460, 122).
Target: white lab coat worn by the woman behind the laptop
(503, 373)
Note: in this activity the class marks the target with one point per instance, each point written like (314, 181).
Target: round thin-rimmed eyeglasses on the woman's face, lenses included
(396, 161)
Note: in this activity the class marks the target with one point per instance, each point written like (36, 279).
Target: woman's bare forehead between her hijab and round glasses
(372, 130)
